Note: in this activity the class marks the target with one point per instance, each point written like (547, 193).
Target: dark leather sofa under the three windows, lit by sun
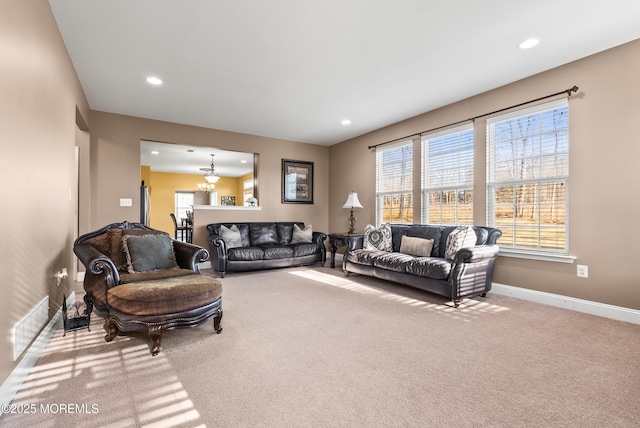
(469, 273)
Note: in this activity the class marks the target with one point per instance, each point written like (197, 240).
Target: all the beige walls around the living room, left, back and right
(42, 101)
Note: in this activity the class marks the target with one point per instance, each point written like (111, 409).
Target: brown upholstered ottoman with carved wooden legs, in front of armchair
(164, 304)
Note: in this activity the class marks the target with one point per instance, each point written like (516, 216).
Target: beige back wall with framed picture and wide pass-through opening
(115, 171)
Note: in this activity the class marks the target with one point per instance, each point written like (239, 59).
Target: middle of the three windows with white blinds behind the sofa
(447, 177)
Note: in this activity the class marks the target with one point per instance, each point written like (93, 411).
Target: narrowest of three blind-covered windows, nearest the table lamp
(394, 183)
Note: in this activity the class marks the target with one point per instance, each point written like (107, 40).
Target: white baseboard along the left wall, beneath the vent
(13, 383)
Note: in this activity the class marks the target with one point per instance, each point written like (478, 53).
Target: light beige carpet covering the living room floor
(307, 347)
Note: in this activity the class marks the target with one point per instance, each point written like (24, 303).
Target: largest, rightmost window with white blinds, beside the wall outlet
(527, 173)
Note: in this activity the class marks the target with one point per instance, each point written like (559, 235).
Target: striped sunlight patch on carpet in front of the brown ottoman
(83, 360)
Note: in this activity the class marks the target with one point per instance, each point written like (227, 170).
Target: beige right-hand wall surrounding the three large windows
(603, 184)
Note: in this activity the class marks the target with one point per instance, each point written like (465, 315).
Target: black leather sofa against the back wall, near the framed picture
(263, 245)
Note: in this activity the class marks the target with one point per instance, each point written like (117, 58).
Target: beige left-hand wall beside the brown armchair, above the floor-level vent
(38, 134)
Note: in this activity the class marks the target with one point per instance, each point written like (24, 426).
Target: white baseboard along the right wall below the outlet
(586, 306)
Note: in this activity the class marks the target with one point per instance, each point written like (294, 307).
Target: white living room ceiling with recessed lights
(293, 69)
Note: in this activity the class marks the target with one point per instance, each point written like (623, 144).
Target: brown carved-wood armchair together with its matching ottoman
(143, 280)
